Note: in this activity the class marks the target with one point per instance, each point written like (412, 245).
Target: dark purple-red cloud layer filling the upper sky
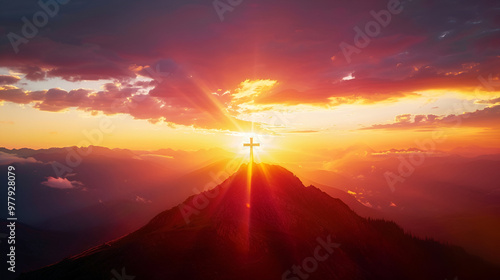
(190, 54)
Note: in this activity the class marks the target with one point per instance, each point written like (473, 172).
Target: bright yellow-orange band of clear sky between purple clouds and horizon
(381, 125)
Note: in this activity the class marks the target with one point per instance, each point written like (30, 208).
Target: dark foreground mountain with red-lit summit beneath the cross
(263, 223)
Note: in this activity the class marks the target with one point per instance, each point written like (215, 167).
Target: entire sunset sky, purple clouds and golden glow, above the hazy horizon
(298, 75)
